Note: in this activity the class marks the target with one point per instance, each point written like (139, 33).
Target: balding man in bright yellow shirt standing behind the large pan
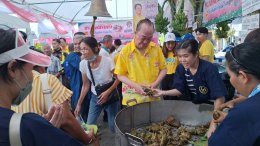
(140, 63)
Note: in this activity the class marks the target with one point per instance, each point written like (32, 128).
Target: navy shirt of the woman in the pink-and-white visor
(35, 131)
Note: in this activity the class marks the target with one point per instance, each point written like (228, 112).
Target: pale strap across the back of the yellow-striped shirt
(46, 90)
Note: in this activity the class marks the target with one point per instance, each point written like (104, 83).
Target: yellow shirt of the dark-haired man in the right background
(207, 49)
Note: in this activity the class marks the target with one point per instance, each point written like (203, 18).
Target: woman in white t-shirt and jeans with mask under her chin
(102, 69)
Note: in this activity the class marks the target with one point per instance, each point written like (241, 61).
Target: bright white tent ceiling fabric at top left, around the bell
(74, 10)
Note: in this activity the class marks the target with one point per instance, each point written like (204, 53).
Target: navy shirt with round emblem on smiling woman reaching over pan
(207, 82)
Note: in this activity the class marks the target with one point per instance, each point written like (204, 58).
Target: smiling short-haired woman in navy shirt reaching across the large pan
(197, 79)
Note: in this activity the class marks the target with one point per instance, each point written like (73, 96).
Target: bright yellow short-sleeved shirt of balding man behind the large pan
(139, 68)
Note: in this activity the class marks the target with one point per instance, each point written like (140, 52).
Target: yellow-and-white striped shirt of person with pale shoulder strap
(35, 101)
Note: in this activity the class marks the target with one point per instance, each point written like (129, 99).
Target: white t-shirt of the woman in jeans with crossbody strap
(102, 74)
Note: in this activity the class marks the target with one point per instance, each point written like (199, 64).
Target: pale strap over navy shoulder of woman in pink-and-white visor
(14, 130)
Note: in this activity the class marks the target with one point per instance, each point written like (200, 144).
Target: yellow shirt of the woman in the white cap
(171, 63)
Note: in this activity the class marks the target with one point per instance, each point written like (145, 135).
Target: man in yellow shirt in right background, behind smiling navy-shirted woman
(206, 49)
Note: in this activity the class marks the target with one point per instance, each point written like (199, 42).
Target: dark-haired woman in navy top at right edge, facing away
(241, 126)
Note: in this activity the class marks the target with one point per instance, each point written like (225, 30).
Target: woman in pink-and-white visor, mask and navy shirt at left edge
(16, 64)
